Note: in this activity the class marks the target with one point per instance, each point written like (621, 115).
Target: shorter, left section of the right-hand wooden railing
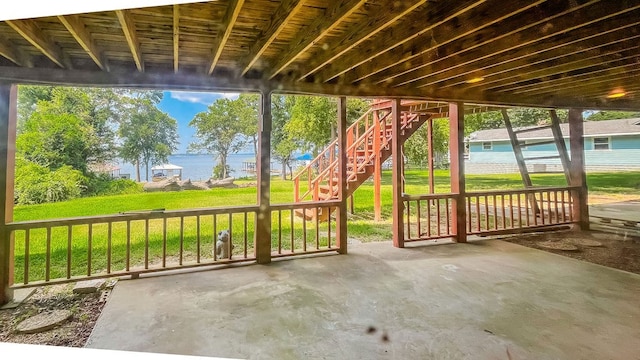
(428, 217)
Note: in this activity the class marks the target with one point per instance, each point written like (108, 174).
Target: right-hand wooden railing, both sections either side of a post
(429, 217)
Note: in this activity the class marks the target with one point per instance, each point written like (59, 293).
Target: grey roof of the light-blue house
(591, 128)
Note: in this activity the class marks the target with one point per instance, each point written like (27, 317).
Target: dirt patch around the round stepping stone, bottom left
(85, 309)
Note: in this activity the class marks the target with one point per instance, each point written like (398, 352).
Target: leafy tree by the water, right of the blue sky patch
(218, 131)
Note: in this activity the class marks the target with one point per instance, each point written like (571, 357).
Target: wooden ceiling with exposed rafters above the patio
(547, 53)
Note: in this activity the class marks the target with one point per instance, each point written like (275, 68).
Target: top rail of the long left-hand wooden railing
(130, 216)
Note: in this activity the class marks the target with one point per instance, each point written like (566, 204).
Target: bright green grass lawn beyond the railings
(361, 225)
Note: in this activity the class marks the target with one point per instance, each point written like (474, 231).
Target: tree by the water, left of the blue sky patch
(148, 135)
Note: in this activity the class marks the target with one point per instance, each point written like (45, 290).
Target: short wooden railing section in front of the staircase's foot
(298, 235)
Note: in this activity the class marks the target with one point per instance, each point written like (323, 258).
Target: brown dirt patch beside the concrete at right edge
(616, 251)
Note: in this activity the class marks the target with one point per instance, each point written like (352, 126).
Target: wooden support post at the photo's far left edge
(8, 103)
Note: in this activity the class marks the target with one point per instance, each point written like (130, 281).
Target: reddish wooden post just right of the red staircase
(396, 180)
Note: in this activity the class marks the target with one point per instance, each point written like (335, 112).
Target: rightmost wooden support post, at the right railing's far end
(577, 171)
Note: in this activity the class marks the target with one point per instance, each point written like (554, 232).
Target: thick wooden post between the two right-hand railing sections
(456, 153)
